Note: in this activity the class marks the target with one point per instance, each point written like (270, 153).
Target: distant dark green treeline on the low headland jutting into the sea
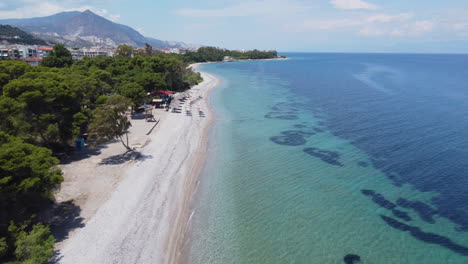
(209, 54)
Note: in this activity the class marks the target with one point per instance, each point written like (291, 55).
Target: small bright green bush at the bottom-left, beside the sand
(34, 247)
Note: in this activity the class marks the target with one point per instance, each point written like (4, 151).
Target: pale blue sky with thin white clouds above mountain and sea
(422, 26)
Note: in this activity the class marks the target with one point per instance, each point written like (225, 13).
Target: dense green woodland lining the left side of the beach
(42, 110)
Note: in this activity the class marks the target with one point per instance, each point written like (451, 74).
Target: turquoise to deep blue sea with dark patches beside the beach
(336, 158)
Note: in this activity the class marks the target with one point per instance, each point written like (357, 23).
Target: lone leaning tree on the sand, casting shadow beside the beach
(110, 121)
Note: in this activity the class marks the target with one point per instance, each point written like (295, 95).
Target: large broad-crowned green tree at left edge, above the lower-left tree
(49, 100)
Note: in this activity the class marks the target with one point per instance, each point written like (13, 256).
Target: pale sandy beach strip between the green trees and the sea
(135, 210)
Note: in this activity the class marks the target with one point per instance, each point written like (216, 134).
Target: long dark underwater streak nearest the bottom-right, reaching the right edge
(430, 238)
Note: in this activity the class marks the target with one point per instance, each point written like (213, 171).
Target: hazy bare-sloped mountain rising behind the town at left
(86, 29)
